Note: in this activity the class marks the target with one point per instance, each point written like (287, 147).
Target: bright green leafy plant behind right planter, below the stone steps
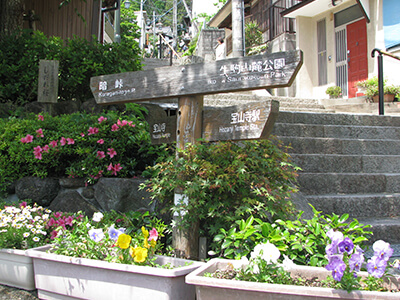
(303, 241)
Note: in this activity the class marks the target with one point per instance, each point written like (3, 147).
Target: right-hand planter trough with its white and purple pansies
(262, 275)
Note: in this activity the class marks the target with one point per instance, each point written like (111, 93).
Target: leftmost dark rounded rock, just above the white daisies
(41, 191)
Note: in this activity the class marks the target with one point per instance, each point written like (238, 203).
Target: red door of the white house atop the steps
(356, 55)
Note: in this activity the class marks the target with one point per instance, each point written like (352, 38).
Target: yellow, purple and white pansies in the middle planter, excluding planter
(113, 237)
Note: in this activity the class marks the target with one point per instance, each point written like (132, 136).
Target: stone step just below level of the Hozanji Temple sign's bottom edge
(310, 145)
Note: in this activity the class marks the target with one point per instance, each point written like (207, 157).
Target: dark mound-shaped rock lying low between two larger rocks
(72, 201)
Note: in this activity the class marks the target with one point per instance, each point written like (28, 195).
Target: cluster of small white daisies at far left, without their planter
(23, 226)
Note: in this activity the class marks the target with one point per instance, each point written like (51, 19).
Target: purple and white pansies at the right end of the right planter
(345, 260)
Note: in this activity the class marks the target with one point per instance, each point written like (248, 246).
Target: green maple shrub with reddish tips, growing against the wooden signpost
(225, 182)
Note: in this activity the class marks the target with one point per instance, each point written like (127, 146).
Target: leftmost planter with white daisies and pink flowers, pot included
(22, 227)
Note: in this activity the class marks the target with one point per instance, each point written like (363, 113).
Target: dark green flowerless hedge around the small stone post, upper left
(79, 60)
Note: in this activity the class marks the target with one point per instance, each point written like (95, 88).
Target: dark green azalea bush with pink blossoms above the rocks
(87, 150)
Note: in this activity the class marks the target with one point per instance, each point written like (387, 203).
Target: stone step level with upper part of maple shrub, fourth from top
(334, 163)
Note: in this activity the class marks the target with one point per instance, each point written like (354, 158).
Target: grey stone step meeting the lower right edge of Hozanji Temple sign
(337, 131)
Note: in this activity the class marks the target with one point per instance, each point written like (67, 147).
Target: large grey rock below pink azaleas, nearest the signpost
(122, 195)
